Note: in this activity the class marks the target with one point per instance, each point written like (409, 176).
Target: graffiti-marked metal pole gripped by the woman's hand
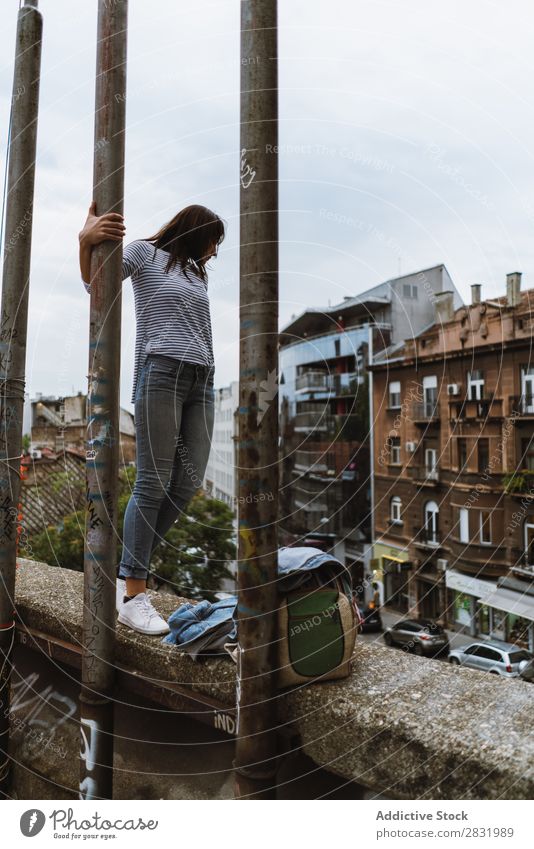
(98, 673)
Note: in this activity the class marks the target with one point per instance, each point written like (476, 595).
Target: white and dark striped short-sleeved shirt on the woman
(172, 312)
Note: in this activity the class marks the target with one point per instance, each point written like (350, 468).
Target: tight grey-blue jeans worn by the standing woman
(174, 408)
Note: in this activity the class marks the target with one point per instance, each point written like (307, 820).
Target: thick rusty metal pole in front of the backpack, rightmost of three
(258, 474)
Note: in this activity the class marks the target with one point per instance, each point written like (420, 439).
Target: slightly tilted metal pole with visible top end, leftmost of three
(13, 333)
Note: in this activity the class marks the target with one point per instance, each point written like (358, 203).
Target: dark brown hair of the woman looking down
(188, 238)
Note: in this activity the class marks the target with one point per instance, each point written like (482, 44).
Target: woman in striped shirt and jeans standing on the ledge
(172, 391)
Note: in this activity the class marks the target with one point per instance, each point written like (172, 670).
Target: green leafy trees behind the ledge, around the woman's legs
(192, 558)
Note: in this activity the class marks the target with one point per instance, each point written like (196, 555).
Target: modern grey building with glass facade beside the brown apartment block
(325, 490)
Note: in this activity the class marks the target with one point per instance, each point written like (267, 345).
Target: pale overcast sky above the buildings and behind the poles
(407, 140)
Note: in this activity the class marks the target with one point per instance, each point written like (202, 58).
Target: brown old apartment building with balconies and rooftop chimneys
(453, 413)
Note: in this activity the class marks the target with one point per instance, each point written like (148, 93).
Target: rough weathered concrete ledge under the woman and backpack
(404, 726)
